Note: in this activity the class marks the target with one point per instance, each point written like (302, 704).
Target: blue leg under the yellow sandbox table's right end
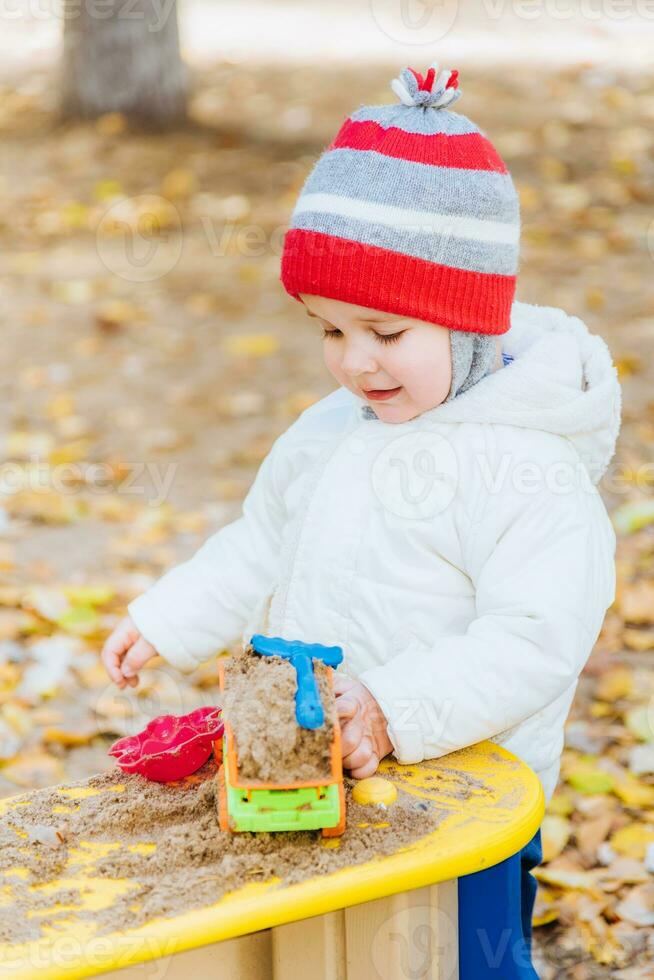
(495, 911)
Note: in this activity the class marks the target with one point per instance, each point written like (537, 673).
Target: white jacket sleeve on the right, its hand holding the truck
(542, 564)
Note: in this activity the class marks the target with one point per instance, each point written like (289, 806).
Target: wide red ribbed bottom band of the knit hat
(338, 268)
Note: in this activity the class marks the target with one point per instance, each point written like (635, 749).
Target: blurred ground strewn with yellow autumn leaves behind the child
(150, 357)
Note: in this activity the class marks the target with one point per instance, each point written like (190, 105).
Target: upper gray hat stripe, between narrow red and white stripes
(371, 176)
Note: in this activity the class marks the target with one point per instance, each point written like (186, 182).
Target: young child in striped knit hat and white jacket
(436, 516)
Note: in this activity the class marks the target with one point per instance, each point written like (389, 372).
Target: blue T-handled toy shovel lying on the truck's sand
(308, 707)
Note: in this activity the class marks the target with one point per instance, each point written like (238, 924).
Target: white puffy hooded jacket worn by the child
(463, 560)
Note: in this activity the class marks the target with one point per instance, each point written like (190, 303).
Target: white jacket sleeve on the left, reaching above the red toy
(202, 605)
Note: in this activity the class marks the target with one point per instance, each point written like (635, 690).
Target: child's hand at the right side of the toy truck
(364, 738)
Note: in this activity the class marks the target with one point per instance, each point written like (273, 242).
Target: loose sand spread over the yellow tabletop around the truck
(194, 862)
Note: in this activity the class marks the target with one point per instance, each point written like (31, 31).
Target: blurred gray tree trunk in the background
(123, 56)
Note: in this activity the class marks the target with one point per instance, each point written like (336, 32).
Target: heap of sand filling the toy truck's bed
(259, 703)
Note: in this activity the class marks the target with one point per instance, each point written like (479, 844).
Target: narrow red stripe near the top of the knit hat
(471, 151)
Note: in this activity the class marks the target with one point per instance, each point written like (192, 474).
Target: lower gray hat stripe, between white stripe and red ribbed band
(460, 253)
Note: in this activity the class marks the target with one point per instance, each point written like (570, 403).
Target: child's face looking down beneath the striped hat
(417, 361)
